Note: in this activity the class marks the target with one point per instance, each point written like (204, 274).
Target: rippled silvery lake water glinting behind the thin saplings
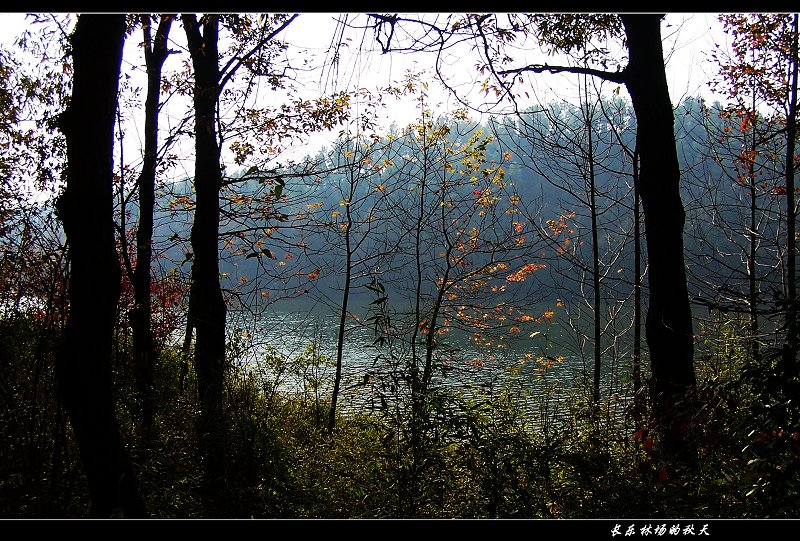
(546, 374)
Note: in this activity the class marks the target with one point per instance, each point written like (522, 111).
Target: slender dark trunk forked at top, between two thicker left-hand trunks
(143, 348)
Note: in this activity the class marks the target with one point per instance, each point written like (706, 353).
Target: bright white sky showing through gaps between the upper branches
(688, 40)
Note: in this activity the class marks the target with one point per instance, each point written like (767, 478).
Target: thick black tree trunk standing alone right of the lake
(668, 325)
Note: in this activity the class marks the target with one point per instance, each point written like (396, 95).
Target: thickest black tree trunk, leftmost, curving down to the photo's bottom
(83, 364)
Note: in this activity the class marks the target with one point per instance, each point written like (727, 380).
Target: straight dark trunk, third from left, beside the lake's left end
(206, 306)
